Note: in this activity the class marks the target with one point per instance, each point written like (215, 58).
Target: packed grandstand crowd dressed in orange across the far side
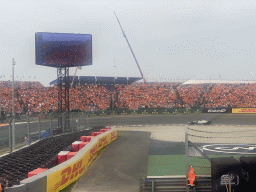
(33, 97)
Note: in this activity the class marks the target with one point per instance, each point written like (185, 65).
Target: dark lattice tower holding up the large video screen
(63, 98)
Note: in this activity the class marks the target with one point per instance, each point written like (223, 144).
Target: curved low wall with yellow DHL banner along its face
(62, 175)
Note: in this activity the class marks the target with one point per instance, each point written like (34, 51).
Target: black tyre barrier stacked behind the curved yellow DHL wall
(15, 167)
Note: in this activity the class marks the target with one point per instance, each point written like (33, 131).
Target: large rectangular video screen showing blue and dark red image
(63, 49)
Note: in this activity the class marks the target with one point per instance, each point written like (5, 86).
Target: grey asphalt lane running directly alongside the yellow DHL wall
(119, 167)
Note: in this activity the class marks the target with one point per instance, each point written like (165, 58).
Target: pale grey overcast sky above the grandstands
(171, 39)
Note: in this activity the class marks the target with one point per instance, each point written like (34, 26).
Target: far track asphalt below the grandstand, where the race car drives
(230, 119)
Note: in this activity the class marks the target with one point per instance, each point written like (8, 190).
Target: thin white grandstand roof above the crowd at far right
(216, 82)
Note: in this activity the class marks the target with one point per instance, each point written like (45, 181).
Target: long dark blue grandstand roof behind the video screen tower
(100, 80)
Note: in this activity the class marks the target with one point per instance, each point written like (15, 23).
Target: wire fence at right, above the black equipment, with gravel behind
(205, 142)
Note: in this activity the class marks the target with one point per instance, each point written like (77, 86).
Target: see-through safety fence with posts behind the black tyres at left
(23, 130)
